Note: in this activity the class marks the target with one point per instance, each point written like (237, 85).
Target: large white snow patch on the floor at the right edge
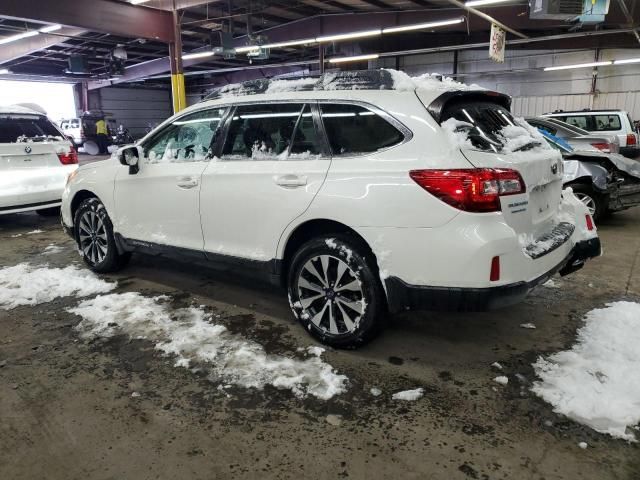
(597, 382)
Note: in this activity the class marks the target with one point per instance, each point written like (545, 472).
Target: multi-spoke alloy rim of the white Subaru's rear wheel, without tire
(331, 295)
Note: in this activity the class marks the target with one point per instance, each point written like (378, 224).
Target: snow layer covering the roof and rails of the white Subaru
(383, 79)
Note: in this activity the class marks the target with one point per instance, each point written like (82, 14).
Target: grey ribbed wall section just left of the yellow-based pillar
(135, 108)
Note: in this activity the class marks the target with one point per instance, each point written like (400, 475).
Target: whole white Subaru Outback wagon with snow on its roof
(361, 193)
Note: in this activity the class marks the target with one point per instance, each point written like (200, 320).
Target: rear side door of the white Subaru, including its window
(272, 164)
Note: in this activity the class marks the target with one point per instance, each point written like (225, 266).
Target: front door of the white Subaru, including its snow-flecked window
(161, 202)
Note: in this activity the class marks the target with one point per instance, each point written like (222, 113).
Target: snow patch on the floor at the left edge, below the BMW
(24, 284)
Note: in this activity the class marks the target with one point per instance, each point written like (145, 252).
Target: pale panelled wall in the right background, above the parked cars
(536, 92)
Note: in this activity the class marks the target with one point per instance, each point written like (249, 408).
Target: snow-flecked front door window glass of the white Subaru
(188, 139)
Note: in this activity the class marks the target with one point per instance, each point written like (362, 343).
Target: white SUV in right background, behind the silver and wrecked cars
(614, 122)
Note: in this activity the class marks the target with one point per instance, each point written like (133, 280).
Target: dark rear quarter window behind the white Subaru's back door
(355, 130)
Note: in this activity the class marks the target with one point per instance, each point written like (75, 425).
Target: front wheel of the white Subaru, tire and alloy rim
(99, 251)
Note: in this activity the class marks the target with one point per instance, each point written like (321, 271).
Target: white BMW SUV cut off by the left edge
(35, 161)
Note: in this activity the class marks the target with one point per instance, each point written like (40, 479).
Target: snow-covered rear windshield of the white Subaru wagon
(490, 127)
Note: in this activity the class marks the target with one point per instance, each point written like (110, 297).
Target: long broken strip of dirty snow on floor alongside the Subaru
(187, 334)
